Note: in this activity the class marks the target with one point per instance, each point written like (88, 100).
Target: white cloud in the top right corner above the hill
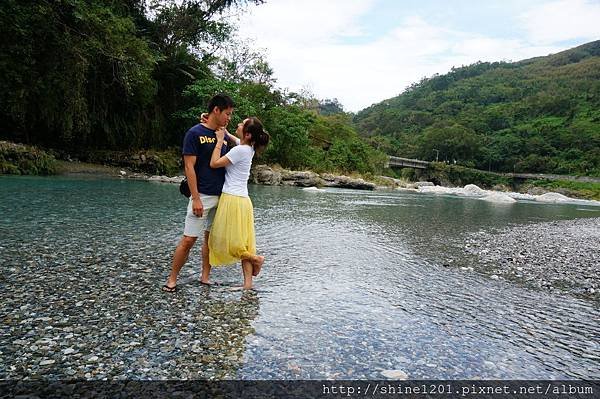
(563, 20)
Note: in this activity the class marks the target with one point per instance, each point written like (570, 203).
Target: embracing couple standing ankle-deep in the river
(219, 208)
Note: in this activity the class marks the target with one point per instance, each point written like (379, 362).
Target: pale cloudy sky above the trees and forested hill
(365, 51)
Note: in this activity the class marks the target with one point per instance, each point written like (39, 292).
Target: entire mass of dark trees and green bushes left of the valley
(111, 81)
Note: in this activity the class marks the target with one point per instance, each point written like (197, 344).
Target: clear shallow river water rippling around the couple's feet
(354, 284)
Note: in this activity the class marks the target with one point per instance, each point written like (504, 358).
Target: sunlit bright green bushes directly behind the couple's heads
(300, 137)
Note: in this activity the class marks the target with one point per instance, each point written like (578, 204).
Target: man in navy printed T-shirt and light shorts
(205, 186)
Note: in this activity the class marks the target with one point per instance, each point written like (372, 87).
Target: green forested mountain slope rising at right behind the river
(536, 115)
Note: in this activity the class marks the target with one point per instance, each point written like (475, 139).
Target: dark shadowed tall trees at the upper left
(95, 74)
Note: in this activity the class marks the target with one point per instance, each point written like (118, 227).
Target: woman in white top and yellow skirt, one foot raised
(232, 234)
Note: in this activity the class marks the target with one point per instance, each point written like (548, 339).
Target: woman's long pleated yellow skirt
(232, 233)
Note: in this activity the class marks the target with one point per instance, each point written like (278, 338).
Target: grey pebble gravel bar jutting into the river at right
(555, 256)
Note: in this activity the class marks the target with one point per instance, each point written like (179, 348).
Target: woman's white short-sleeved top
(238, 172)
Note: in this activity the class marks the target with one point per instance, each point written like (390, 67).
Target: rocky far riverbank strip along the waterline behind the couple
(164, 166)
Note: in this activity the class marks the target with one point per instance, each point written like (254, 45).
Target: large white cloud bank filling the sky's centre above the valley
(307, 47)
